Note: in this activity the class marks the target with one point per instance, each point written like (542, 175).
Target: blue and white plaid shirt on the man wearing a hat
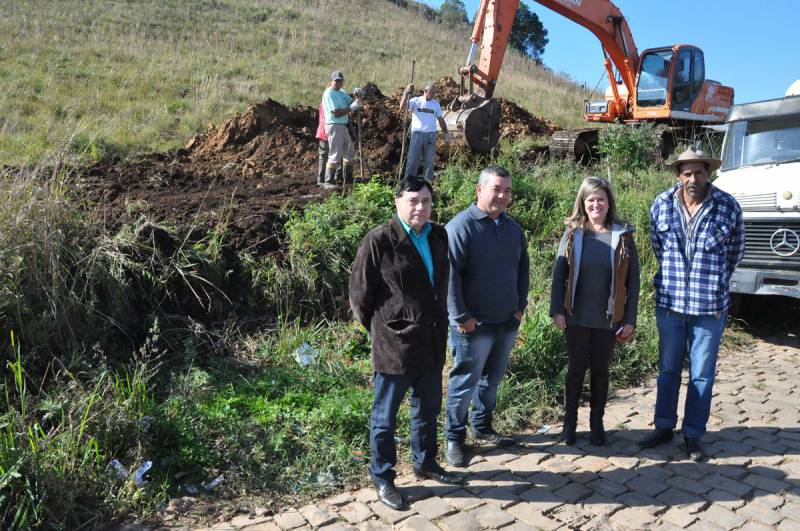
(700, 286)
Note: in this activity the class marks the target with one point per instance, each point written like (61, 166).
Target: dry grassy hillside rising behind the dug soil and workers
(115, 78)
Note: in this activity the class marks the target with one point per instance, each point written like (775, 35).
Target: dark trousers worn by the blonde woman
(587, 348)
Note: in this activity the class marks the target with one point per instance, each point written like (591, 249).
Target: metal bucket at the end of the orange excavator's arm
(475, 122)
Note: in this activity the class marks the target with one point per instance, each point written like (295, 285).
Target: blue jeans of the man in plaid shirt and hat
(697, 336)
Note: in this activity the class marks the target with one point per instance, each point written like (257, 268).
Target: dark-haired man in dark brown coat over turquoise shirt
(398, 291)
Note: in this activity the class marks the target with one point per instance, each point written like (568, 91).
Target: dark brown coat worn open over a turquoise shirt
(392, 296)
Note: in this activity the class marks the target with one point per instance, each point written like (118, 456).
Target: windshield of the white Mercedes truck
(761, 142)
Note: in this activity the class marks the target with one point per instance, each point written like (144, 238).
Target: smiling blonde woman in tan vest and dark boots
(594, 298)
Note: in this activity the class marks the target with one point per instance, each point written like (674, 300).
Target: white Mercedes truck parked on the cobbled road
(761, 168)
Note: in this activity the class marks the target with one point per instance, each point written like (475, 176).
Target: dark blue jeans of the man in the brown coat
(426, 403)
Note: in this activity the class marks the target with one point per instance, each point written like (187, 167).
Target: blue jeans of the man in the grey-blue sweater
(480, 360)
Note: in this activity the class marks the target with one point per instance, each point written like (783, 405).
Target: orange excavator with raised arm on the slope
(665, 86)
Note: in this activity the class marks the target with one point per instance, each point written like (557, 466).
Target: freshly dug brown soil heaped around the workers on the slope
(258, 164)
